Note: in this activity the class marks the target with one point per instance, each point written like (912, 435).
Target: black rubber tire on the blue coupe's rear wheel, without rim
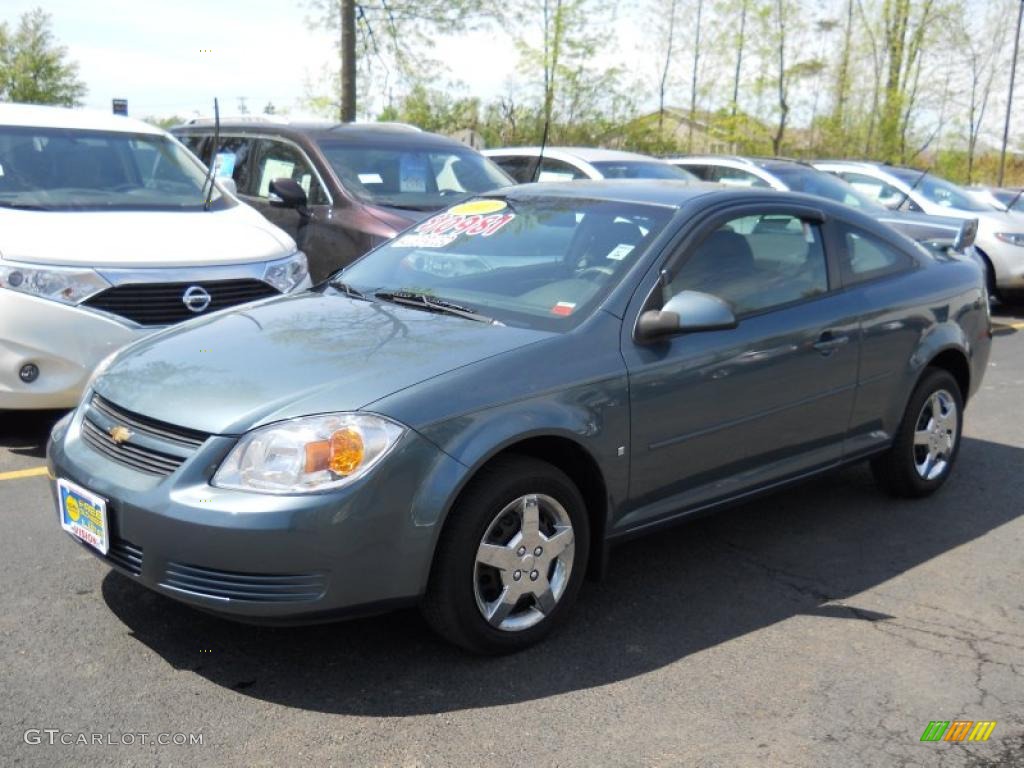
(897, 471)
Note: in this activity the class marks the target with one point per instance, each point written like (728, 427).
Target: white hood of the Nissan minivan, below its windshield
(141, 239)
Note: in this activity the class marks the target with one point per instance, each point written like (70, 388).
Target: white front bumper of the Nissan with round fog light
(65, 343)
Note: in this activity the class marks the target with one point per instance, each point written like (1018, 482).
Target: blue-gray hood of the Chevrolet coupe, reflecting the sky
(293, 357)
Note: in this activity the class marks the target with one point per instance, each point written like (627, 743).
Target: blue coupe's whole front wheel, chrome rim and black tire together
(511, 558)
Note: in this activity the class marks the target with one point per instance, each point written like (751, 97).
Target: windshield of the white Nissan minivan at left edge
(61, 170)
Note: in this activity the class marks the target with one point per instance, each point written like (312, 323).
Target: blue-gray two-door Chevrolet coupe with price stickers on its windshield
(470, 416)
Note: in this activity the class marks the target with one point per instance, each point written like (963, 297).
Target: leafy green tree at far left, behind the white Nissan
(34, 69)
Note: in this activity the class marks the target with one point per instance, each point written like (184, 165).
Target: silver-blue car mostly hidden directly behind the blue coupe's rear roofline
(779, 174)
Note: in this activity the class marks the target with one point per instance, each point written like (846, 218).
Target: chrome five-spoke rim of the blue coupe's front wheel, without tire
(524, 563)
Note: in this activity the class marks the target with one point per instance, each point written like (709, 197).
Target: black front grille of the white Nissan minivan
(164, 304)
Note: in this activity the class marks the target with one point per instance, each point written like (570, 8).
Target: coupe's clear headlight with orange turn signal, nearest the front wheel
(315, 453)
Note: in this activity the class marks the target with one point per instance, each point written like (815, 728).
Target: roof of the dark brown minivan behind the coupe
(398, 134)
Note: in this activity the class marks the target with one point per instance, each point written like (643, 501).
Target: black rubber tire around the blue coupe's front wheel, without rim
(451, 604)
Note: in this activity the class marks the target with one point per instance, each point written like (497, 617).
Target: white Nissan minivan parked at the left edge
(109, 232)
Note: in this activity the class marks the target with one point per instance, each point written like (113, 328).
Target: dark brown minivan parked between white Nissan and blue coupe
(362, 184)
